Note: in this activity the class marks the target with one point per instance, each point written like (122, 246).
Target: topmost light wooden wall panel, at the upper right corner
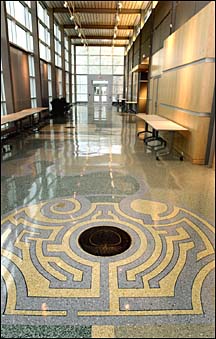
(192, 41)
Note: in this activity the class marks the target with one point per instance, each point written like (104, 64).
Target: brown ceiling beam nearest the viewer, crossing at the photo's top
(97, 10)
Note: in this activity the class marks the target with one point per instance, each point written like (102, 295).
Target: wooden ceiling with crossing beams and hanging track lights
(97, 20)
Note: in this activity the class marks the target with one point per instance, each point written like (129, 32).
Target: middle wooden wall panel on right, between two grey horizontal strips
(189, 87)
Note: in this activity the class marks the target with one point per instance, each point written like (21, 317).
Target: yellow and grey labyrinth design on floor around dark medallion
(164, 273)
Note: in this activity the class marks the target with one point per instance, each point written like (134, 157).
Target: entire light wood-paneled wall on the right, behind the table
(186, 85)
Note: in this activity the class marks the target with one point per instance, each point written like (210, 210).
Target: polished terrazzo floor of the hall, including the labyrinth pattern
(88, 169)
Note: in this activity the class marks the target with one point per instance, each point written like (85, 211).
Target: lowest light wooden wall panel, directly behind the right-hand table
(192, 143)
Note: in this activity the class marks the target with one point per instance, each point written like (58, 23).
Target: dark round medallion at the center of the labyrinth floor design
(104, 241)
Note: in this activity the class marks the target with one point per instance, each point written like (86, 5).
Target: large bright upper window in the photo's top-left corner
(20, 24)
